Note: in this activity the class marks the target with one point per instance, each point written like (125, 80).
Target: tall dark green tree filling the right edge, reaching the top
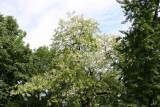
(141, 50)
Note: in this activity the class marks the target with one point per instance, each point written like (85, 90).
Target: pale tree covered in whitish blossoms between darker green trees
(82, 74)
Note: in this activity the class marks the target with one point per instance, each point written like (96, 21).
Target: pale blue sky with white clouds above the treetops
(39, 18)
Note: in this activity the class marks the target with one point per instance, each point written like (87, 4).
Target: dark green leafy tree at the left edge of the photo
(16, 60)
